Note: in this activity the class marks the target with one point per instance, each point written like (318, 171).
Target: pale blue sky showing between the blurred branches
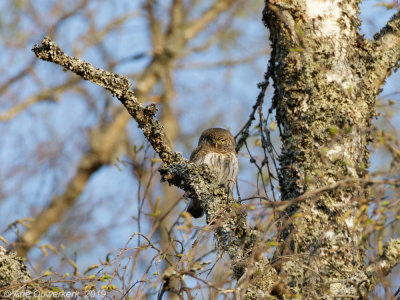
(40, 147)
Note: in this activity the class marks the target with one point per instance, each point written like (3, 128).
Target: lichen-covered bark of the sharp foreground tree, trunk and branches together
(326, 78)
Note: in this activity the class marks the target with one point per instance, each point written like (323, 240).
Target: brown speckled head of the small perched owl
(218, 139)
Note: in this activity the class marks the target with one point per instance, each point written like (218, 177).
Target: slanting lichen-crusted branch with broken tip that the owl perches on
(232, 230)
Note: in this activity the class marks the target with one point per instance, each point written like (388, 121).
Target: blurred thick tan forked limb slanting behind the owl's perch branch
(96, 158)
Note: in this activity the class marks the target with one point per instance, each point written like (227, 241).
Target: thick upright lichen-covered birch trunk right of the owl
(326, 78)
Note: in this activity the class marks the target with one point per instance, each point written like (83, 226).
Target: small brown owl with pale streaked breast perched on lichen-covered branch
(216, 148)
